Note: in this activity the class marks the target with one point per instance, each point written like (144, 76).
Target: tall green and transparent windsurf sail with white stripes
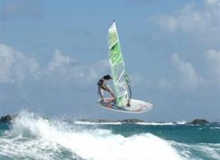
(120, 78)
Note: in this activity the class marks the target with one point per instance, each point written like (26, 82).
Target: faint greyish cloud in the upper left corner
(18, 8)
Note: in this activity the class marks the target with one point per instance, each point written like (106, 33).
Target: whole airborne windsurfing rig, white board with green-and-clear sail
(123, 102)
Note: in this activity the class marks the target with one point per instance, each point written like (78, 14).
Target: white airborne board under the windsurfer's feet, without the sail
(136, 106)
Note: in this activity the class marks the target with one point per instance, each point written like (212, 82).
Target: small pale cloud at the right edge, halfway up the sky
(214, 57)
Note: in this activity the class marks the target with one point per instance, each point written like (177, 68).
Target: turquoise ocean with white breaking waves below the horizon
(33, 137)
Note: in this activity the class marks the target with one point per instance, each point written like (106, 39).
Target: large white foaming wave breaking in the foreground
(38, 138)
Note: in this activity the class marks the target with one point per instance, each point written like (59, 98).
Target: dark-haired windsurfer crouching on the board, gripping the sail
(102, 86)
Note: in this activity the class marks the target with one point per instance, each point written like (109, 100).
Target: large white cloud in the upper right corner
(202, 22)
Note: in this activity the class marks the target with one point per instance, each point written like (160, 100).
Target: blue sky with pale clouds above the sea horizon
(52, 54)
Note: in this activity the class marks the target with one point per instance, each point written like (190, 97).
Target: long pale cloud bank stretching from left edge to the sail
(15, 67)
